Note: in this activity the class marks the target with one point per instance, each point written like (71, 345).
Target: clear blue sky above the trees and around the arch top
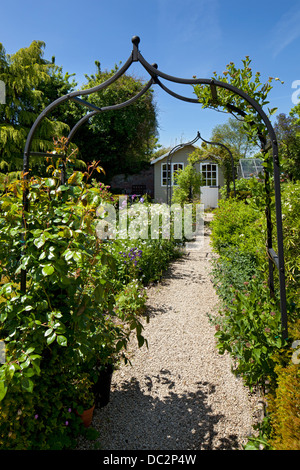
(184, 37)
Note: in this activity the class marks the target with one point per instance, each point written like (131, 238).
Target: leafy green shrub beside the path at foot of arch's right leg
(250, 330)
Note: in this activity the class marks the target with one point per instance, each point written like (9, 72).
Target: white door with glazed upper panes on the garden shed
(209, 188)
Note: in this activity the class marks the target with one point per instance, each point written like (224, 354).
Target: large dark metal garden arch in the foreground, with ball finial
(275, 259)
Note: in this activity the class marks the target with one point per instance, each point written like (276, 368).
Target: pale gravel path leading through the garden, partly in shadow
(179, 394)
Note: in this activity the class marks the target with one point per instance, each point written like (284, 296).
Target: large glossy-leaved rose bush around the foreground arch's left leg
(68, 290)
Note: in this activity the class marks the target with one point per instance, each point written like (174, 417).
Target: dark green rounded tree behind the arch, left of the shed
(123, 140)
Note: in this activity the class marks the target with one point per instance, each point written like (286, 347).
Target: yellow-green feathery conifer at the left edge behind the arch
(31, 84)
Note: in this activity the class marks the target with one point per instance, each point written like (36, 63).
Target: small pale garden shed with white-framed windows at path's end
(212, 175)
